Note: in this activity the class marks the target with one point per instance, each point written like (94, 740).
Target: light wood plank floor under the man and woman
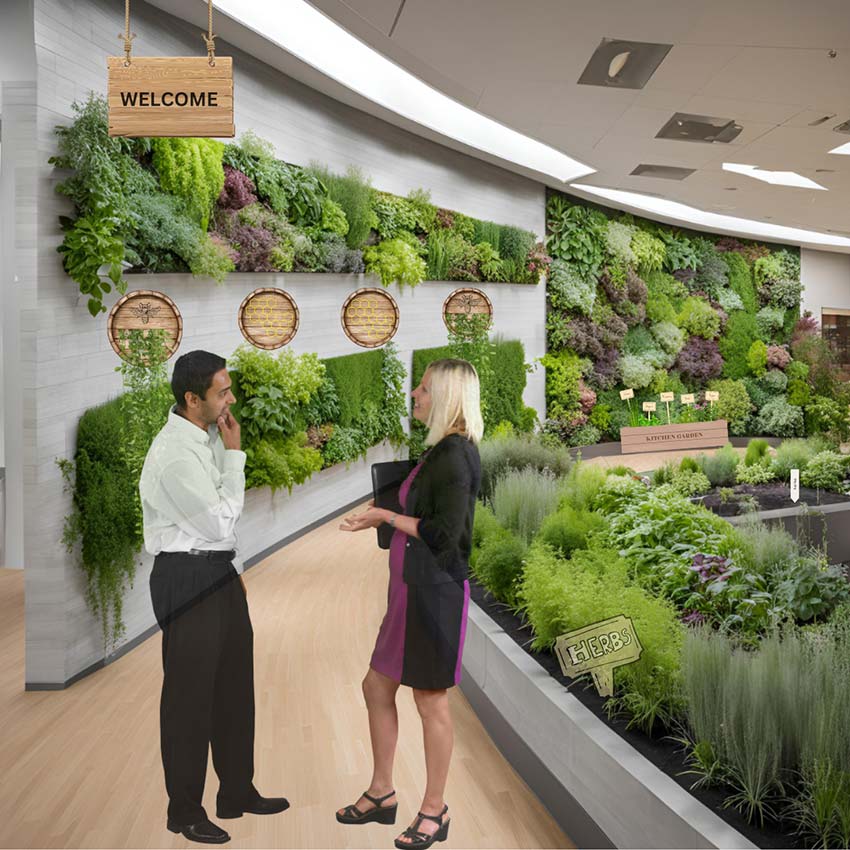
(81, 767)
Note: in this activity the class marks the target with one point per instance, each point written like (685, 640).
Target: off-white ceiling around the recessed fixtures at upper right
(763, 63)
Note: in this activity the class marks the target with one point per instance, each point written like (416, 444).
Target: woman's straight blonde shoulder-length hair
(455, 401)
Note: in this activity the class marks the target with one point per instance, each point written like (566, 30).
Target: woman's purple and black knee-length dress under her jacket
(420, 642)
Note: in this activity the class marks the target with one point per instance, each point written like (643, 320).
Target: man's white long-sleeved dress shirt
(192, 489)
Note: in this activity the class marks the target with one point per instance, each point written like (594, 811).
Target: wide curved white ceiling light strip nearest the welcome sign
(303, 31)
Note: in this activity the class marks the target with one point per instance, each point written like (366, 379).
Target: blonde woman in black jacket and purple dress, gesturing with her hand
(420, 643)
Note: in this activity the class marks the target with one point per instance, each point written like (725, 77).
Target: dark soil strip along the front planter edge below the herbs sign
(663, 753)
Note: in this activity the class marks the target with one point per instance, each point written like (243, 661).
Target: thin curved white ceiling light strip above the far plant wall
(713, 221)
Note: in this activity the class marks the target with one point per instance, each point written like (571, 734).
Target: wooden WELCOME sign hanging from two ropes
(170, 96)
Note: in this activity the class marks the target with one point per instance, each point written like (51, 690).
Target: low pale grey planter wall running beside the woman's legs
(598, 787)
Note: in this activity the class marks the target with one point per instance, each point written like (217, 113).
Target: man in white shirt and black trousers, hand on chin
(193, 488)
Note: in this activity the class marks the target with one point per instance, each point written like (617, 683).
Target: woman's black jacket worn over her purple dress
(443, 495)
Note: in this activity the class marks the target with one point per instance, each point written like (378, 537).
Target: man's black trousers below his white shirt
(208, 680)
